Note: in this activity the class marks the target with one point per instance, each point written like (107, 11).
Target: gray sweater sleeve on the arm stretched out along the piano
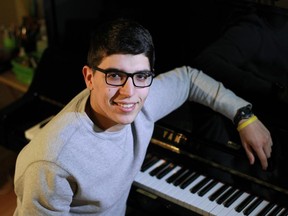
(170, 90)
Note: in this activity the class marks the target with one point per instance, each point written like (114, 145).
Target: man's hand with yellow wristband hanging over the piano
(256, 139)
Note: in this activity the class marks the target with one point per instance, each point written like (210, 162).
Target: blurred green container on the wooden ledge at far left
(23, 72)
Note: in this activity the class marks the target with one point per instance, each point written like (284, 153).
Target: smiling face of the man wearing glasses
(112, 107)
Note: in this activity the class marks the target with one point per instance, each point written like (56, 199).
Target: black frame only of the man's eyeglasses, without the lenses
(106, 71)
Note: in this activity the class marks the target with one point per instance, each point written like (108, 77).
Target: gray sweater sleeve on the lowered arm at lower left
(47, 191)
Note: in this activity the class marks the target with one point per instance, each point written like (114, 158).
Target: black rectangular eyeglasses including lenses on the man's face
(114, 77)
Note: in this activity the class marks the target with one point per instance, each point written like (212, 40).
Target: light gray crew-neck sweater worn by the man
(71, 167)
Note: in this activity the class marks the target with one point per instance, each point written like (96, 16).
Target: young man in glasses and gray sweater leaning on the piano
(85, 159)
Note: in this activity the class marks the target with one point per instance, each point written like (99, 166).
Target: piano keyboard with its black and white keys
(199, 193)
